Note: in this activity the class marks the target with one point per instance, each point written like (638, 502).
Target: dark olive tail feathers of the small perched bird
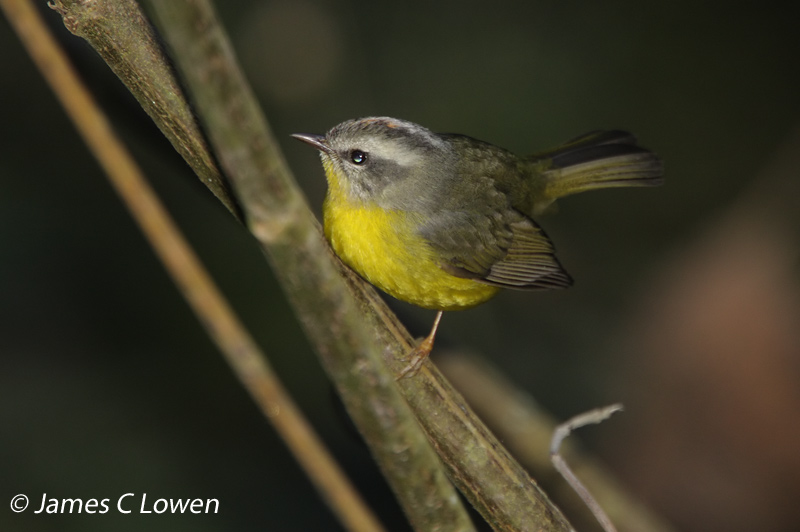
(601, 159)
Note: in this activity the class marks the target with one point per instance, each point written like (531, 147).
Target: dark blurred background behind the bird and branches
(686, 304)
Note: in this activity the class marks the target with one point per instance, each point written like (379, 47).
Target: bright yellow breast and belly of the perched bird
(384, 249)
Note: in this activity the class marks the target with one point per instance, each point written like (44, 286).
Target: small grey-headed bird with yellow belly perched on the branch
(444, 221)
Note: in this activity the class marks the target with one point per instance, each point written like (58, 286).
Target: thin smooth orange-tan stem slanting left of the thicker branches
(186, 270)
